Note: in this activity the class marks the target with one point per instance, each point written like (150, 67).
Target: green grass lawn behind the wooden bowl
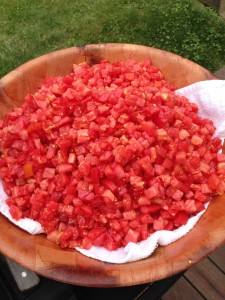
(30, 28)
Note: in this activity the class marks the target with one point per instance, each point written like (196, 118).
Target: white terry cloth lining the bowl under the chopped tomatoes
(210, 98)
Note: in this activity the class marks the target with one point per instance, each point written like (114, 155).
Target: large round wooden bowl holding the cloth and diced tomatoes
(46, 258)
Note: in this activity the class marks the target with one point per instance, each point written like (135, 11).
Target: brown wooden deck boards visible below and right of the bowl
(206, 280)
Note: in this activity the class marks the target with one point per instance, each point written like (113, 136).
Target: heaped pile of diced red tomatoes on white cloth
(107, 155)
